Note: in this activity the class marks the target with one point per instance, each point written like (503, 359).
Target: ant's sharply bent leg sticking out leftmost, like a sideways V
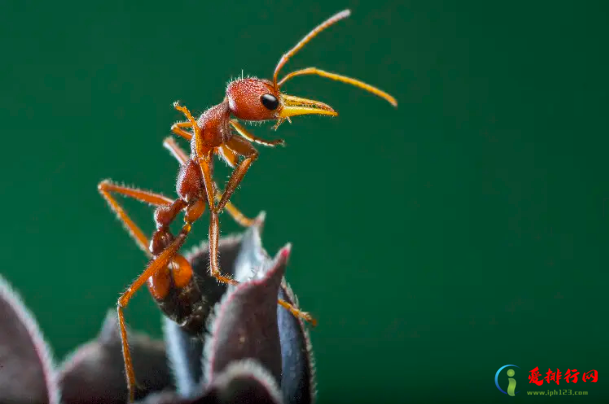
(107, 188)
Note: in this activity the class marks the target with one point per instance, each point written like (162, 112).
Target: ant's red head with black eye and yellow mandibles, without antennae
(255, 99)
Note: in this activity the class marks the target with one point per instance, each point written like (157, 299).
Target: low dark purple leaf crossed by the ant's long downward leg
(95, 372)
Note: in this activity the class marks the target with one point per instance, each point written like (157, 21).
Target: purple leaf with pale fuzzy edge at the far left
(26, 369)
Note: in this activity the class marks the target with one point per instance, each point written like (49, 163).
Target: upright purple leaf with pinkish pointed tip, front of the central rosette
(245, 324)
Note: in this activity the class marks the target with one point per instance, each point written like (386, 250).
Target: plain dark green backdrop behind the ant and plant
(435, 243)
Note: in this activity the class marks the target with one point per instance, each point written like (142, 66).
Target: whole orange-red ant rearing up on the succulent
(169, 275)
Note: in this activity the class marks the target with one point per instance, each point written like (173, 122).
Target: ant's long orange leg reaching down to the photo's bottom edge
(157, 264)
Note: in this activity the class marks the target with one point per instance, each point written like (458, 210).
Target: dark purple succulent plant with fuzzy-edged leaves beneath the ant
(253, 350)
